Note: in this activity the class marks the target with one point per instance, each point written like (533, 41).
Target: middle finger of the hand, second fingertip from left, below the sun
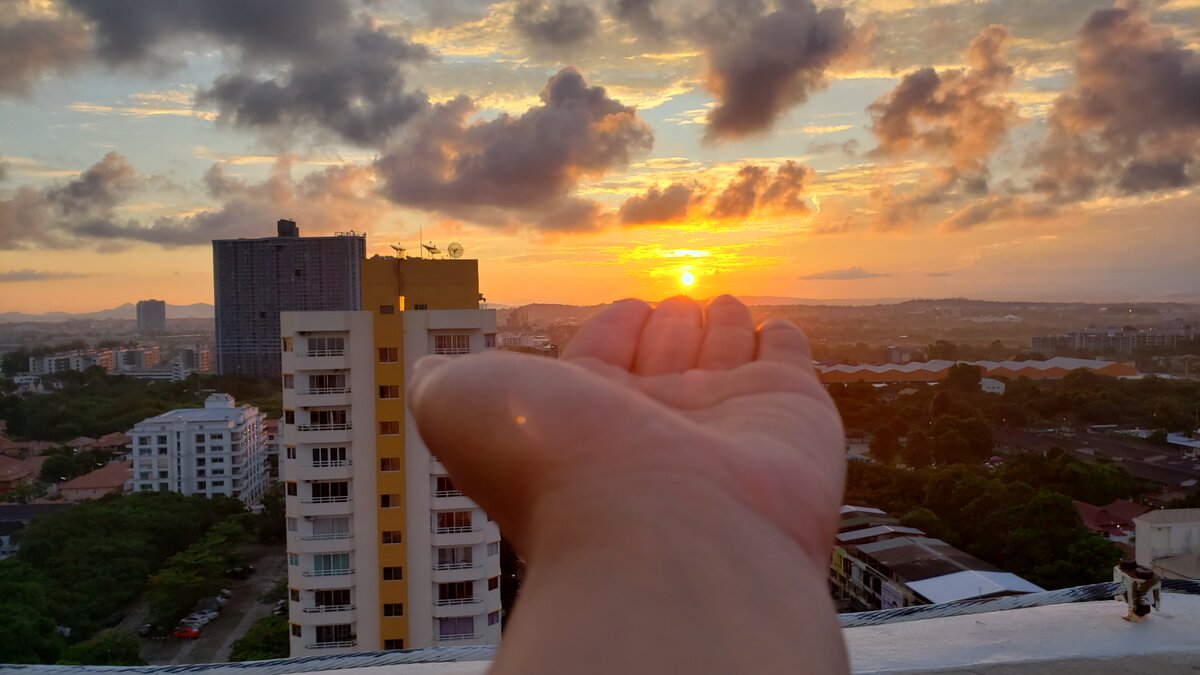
(671, 338)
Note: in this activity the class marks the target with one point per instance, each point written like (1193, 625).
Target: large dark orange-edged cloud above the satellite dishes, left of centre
(525, 165)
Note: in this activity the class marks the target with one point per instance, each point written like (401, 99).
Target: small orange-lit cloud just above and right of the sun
(754, 190)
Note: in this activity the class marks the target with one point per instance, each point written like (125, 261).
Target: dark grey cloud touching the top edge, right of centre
(761, 64)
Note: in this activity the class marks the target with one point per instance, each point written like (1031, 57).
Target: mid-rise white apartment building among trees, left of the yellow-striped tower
(218, 450)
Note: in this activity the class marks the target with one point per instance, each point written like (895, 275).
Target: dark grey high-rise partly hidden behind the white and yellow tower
(257, 279)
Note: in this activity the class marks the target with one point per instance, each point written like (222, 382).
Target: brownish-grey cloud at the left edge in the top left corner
(34, 45)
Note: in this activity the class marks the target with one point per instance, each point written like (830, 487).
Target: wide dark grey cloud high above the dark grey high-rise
(358, 94)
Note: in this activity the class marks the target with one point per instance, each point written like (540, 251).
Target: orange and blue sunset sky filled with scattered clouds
(586, 151)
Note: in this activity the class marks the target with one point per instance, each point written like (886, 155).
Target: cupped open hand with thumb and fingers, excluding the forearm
(676, 399)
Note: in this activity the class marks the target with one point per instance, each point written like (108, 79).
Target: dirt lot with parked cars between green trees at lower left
(237, 617)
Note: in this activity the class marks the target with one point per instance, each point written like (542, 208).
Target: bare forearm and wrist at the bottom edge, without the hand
(687, 582)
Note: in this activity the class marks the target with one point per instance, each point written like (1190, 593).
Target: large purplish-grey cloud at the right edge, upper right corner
(1131, 121)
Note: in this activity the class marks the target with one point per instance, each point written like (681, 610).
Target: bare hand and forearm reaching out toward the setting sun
(673, 482)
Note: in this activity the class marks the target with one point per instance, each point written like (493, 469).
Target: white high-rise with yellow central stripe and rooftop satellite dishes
(383, 551)
